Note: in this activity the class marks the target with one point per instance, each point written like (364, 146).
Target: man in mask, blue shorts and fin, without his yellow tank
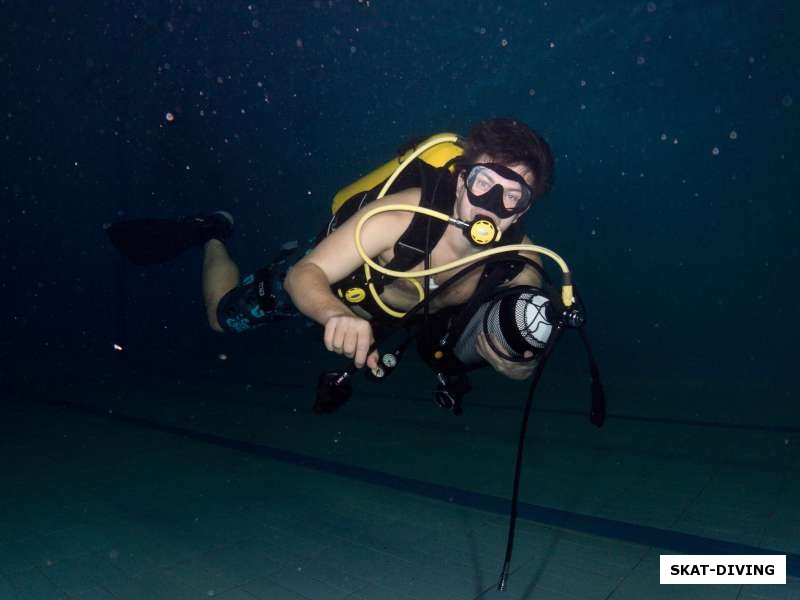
(500, 169)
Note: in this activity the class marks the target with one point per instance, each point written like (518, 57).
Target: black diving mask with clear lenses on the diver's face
(485, 192)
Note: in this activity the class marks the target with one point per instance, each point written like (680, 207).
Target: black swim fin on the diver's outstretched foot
(156, 241)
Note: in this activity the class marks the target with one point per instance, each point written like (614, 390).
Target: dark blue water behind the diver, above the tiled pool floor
(687, 258)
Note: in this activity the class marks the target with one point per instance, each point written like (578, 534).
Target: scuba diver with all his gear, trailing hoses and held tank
(430, 247)
